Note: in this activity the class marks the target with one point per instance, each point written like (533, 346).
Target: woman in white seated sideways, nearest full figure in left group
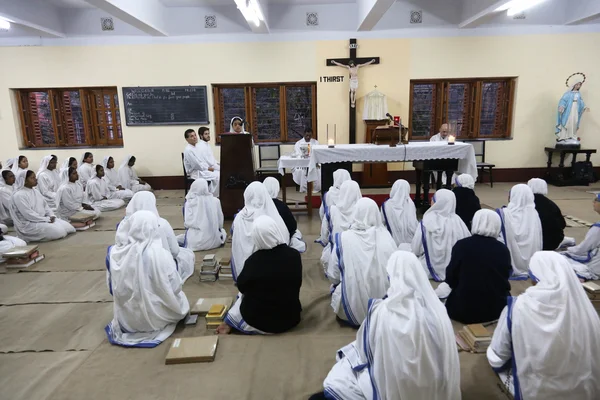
(33, 220)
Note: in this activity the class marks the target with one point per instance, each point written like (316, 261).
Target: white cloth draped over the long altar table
(414, 151)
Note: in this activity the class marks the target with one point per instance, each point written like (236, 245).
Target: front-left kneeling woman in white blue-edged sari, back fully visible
(145, 284)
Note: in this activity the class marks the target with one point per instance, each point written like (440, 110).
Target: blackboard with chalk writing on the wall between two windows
(178, 105)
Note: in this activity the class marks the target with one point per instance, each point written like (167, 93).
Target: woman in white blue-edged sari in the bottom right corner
(546, 344)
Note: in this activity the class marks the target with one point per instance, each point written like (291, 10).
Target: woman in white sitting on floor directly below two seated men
(202, 218)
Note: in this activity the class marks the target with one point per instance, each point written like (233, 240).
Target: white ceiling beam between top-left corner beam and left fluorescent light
(145, 15)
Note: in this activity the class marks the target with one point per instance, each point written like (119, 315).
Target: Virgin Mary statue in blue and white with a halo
(570, 110)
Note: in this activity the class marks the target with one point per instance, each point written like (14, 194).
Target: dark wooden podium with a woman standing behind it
(237, 171)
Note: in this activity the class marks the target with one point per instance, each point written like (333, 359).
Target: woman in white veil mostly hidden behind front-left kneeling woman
(184, 258)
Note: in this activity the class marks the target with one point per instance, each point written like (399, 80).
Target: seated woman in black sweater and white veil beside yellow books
(269, 284)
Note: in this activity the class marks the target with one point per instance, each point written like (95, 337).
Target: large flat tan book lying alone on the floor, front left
(190, 350)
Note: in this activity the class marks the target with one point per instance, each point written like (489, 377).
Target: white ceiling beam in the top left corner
(35, 15)
